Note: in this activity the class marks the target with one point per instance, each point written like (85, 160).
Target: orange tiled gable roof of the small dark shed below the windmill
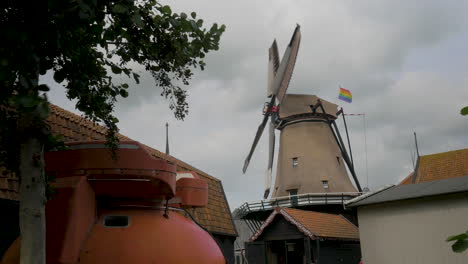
(315, 224)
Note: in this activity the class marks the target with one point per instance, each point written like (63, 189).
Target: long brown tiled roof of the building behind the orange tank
(216, 216)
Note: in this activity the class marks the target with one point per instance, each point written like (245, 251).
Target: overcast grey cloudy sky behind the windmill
(406, 63)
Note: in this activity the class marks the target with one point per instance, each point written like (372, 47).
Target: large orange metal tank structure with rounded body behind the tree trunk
(116, 211)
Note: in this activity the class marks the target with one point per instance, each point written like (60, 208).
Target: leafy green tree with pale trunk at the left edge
(86, 43)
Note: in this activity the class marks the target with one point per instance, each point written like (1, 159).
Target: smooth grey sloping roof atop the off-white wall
(412, 191)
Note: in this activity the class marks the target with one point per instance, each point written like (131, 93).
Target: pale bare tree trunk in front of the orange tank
(32, 202)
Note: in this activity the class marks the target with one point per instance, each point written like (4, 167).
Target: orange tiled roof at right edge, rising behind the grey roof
(440, 166)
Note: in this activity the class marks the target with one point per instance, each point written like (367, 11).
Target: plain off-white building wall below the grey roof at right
(414, 231)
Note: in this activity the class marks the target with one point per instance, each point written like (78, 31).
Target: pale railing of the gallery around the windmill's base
(295, 201)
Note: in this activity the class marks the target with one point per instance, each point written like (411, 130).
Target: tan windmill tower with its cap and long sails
(312, 156)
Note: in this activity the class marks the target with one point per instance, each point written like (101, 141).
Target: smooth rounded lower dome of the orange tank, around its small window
(149, 238)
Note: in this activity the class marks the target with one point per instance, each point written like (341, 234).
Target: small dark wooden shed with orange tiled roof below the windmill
(299, 236)
